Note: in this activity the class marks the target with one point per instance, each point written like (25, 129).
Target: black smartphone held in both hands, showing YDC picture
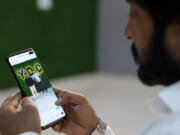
(33, 82)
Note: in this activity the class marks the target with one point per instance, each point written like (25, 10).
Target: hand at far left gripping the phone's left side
(13, 122)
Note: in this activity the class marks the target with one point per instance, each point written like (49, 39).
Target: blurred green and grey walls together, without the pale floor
(70, 37)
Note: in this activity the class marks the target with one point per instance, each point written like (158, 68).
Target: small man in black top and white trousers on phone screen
(30, 84)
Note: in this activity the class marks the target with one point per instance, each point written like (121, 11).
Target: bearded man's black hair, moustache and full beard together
(161, 68)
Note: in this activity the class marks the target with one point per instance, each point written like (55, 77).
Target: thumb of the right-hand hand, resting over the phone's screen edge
(66, 97)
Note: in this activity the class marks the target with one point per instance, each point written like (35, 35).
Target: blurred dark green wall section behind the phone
(63, 33)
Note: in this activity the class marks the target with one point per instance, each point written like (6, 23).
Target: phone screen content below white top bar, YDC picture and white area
(35, 84)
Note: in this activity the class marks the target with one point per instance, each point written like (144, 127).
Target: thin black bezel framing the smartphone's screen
(21, 89)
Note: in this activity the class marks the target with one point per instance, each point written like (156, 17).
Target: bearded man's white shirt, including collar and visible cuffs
(166, 103)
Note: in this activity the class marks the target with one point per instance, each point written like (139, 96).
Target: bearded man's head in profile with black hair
(154, 27)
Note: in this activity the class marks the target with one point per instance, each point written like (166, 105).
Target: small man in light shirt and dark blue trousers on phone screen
(37, 78)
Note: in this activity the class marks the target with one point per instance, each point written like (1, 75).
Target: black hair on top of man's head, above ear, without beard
(164, 12)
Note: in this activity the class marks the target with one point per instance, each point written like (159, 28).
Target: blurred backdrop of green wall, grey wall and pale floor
(82, 47)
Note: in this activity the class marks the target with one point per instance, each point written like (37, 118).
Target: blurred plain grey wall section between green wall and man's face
(114, 53)
